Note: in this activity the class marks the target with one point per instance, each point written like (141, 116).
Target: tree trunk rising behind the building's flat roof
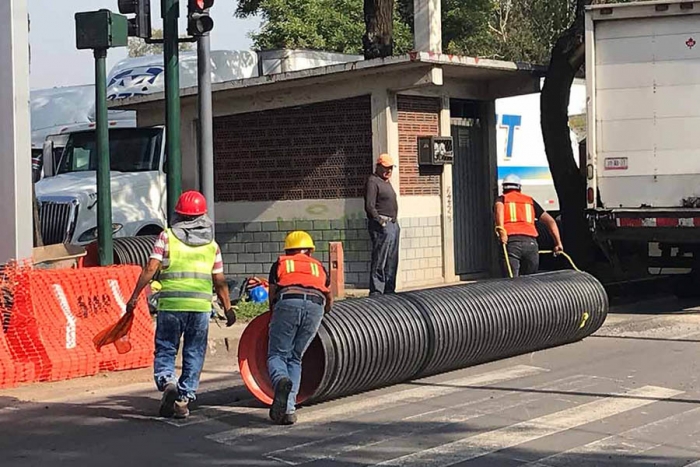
(379, 27)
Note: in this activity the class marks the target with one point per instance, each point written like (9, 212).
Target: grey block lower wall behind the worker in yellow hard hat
(251, 248)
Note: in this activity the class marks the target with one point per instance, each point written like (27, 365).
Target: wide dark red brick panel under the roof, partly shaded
(317, 151)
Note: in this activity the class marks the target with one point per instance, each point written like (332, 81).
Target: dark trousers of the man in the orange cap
(385, 257)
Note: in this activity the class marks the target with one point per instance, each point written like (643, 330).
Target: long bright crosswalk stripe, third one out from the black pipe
(492, 441)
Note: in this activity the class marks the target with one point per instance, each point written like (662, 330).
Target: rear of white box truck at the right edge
(643, 135)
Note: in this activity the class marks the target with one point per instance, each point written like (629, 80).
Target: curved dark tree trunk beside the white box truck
(570, 184)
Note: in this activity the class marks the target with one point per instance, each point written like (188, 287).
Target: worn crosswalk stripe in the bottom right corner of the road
(632, 442)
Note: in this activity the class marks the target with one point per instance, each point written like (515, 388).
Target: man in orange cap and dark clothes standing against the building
(382, 209)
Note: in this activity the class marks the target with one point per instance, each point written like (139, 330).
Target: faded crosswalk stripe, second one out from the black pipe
(432, 421)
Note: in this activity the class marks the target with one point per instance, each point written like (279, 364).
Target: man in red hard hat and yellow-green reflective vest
(191, 265)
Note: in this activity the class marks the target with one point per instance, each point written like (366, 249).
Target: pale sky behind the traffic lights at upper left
(56, 61)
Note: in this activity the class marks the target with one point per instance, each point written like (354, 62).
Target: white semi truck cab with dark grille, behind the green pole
(68, 198)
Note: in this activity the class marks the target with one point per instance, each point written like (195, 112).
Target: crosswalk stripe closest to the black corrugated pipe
(369, 404)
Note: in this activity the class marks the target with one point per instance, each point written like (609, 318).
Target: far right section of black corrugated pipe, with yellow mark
(491, 320)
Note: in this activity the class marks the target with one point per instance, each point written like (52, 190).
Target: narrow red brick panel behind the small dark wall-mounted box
(418, 116)
